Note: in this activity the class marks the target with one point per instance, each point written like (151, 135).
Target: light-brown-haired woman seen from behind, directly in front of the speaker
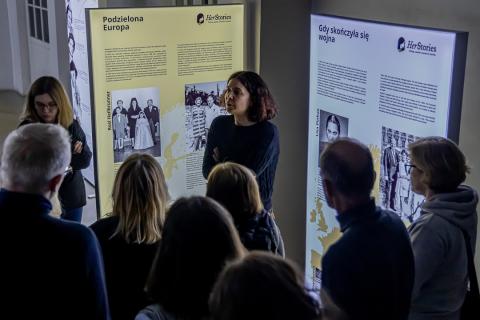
(234, 186)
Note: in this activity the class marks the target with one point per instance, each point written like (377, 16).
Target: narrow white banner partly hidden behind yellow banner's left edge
(78, 67)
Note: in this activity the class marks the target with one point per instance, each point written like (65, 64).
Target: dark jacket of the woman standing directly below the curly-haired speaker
(260, 232)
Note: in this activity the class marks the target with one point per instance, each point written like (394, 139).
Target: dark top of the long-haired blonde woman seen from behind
(126, 269)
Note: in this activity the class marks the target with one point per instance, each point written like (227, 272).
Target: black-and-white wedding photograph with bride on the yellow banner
(136, 122)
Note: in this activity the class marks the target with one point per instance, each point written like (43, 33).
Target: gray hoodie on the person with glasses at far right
(440, 254)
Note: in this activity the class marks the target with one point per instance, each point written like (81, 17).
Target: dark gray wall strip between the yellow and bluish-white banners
(284, 64)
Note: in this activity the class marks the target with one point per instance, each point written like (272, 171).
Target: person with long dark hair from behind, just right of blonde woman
(198, 240)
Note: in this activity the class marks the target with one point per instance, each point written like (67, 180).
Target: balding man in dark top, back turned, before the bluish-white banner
(368, 272)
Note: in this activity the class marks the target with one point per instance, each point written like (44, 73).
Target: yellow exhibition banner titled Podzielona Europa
(157, 76)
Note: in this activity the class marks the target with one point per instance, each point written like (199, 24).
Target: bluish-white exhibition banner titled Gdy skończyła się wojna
(385, 85)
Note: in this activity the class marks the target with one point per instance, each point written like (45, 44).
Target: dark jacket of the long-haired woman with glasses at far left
(72, 191)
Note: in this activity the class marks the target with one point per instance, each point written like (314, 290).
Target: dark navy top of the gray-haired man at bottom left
(51, 268)
